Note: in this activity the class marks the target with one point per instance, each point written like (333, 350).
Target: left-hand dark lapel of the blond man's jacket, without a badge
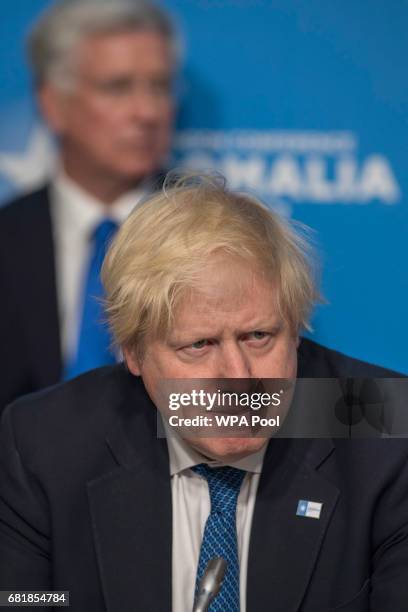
(132, 522)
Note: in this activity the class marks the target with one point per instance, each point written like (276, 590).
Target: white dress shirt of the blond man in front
(191, 507)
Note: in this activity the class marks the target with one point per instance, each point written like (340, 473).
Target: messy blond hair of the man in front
(159, 251)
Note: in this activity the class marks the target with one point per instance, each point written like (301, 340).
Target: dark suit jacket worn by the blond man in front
(85, 505)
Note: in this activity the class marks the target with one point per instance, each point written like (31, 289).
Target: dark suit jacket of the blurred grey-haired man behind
(30, 344)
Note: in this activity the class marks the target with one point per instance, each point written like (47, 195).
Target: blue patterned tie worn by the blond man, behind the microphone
(220, 533)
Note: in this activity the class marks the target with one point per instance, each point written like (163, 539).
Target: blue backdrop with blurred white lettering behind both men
(303, 104)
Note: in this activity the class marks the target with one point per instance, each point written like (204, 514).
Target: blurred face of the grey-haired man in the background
(116, 118)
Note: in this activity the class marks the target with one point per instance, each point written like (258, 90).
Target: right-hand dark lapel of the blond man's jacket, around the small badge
(283, 544)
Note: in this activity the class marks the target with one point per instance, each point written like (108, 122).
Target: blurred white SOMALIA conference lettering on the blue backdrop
(292, 167)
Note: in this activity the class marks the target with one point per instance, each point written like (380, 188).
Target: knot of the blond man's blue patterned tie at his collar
(224, 484)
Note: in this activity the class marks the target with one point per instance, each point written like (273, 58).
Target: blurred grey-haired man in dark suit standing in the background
(103, 72)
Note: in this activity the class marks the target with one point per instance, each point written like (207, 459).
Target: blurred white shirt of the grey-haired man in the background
(75, 214)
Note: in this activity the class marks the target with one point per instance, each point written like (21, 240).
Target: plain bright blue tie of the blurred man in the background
(94, 343)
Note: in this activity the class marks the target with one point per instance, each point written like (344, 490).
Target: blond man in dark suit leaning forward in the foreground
(202, 284)
